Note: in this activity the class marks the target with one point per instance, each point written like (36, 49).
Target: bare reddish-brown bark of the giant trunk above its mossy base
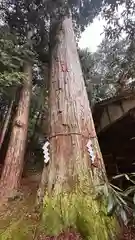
(71, 122)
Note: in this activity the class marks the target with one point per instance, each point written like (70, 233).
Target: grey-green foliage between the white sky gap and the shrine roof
(103, 70)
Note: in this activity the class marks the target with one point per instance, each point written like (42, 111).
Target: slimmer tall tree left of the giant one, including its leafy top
(21, 24)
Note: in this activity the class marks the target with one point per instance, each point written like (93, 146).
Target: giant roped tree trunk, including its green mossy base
(73, 174)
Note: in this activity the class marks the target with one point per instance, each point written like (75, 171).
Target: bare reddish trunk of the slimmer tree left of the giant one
(13, 166)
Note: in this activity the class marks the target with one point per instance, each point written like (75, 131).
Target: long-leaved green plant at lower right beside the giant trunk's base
(121, 202)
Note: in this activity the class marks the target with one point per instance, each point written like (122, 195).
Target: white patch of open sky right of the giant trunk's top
(93, 35)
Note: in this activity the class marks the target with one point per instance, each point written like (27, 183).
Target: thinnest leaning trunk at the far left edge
(6, 123)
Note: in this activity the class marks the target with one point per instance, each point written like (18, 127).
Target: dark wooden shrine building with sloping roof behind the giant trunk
(115, 125)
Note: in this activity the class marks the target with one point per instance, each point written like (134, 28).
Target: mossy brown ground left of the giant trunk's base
(18, 220)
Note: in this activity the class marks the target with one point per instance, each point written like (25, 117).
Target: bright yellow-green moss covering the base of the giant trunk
(81, 212)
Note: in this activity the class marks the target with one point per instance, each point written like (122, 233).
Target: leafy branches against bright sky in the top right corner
(120, 19)
